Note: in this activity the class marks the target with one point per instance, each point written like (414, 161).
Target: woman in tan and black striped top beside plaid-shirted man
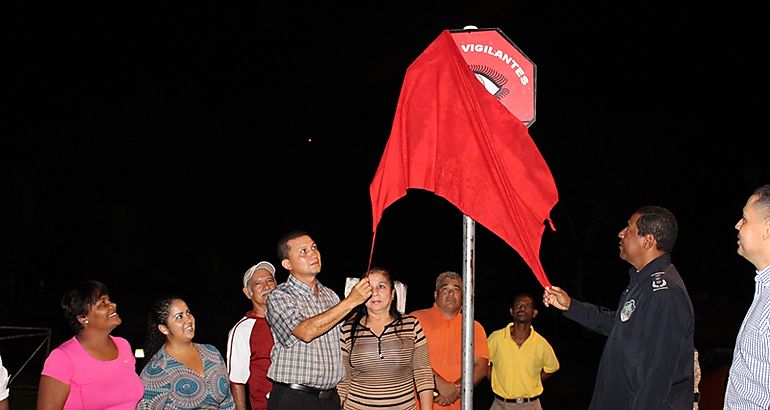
(385, 354)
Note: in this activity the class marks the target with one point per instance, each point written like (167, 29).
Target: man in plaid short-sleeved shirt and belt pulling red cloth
(305, 318)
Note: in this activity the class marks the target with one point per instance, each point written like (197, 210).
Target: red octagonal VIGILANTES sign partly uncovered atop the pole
(506, 72)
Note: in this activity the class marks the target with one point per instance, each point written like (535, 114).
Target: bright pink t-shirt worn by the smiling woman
(96, 384)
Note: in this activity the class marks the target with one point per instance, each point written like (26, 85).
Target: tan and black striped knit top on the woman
(382, 371)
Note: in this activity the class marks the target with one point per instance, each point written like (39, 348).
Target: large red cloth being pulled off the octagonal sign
(452, 137)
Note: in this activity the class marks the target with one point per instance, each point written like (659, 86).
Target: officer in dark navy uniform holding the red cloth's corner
(647, 362)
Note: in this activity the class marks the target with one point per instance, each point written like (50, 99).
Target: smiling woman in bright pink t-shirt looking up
(93, 370)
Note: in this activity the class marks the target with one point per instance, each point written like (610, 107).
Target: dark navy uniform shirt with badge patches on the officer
(647, 362)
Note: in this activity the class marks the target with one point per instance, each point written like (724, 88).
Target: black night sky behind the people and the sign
(165, 148)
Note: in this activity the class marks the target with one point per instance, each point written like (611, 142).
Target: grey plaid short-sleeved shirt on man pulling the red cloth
(316, 364)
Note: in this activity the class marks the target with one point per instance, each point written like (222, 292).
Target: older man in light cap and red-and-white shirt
(250, 341)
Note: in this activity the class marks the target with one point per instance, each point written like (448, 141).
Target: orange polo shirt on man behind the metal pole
(445, 344)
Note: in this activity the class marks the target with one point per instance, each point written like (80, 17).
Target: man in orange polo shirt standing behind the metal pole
(443, 324)
